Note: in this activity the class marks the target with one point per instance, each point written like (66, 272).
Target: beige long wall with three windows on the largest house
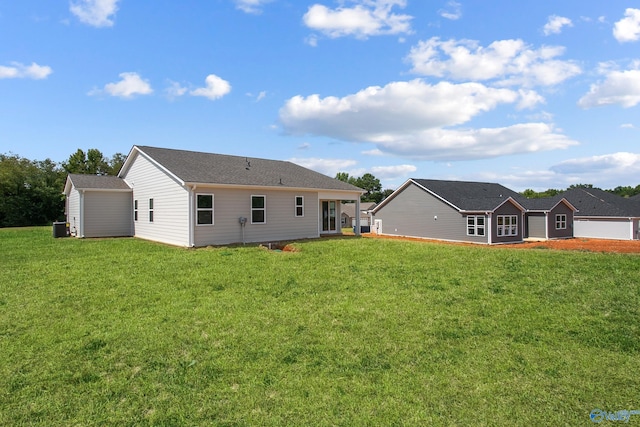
(281, 220)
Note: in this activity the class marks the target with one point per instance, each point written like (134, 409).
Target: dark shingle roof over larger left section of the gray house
(470, 196)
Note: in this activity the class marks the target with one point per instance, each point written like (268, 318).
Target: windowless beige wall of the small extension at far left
(107, 214)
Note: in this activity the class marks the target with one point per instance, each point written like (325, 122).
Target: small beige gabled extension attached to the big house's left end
(98, 206)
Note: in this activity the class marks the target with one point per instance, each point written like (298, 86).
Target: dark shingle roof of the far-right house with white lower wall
(600, 203)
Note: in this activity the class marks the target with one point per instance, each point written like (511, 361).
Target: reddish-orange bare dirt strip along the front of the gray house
(575, 244)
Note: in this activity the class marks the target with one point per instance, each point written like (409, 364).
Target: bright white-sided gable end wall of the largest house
(170, 203)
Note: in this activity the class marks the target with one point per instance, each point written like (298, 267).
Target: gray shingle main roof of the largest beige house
(209, 168)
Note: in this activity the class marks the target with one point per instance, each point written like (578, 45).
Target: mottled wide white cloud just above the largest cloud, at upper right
(507, 62)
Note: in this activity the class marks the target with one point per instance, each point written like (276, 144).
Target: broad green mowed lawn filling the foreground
(346, 331)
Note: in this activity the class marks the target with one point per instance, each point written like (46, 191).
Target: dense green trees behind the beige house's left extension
(31, 190)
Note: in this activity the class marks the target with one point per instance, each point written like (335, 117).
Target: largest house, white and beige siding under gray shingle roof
(188, 198)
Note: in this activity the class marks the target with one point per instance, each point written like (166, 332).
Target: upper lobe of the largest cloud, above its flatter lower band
(375, 112)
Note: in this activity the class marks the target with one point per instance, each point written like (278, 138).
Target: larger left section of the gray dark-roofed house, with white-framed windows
(474, 212)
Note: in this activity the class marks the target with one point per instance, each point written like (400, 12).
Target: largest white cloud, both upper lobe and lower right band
(411, 119)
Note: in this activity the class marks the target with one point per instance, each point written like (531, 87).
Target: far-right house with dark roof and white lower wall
(604, 215)
